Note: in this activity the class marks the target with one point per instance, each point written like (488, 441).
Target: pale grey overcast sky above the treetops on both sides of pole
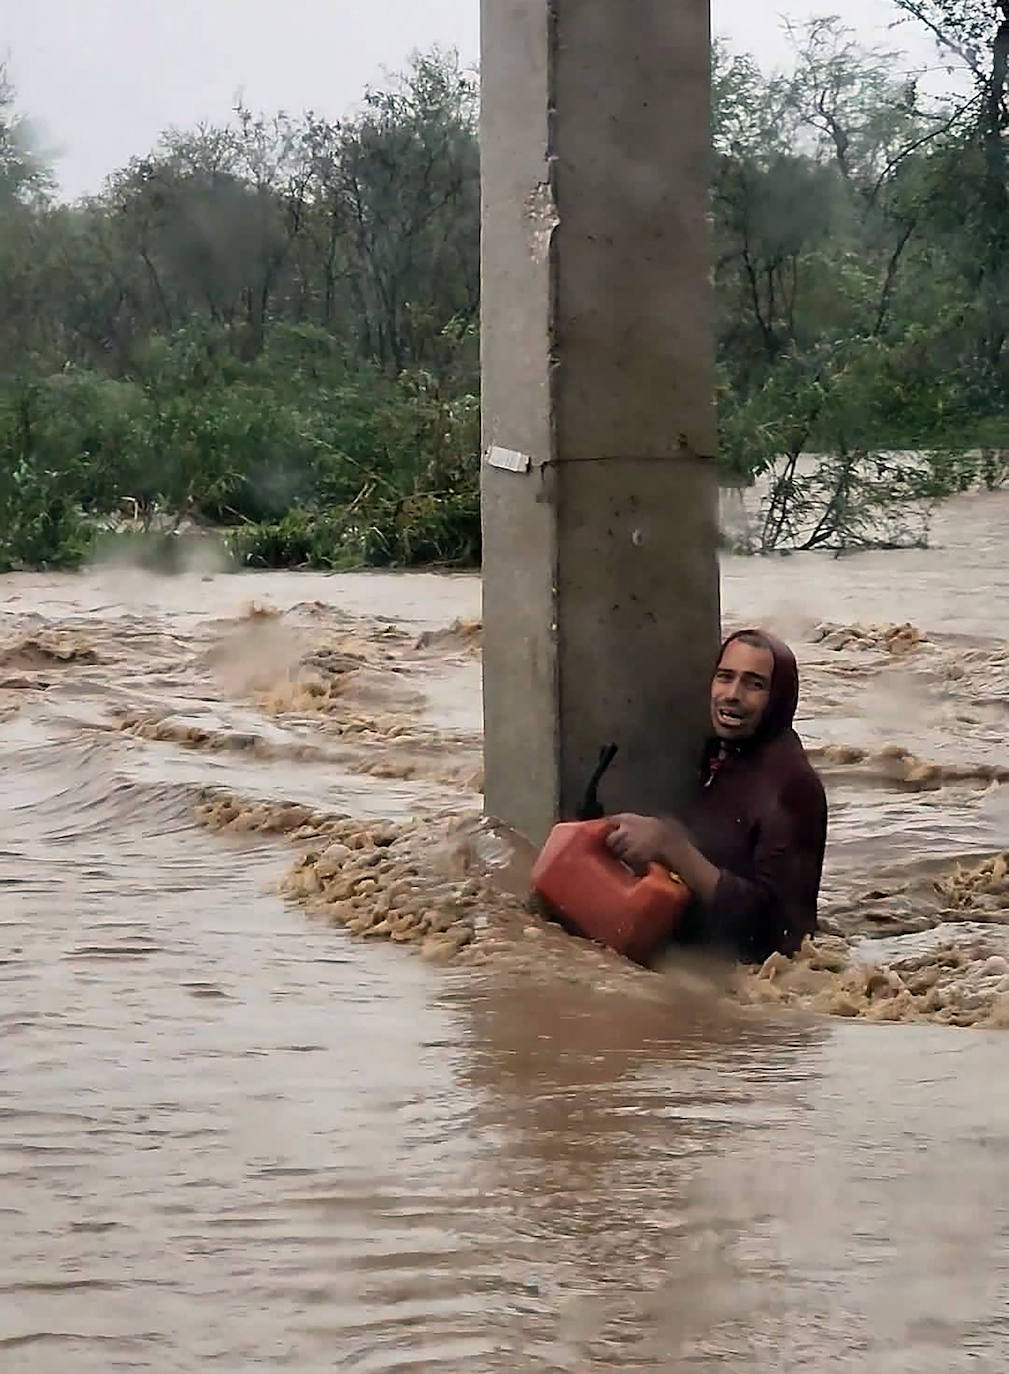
(104, 78)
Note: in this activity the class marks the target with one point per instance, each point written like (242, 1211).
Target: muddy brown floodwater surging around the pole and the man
(244, 1131)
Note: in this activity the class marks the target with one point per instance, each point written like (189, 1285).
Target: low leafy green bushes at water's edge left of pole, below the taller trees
(313, 461)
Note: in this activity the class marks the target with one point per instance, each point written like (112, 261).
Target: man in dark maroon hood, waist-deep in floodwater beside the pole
(751, 848)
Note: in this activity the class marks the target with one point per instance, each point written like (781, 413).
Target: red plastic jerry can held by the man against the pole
(597, 897)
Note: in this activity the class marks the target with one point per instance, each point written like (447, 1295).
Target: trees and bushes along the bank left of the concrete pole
(269, 326)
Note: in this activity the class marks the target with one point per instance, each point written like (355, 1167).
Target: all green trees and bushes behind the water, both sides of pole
(270, 328)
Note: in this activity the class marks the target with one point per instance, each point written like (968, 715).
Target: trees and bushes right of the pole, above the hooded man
(861, 281)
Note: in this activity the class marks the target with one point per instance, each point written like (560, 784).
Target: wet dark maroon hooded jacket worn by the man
(759, 815)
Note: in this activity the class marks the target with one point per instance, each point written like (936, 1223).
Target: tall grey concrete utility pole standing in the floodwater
(600, 498)
